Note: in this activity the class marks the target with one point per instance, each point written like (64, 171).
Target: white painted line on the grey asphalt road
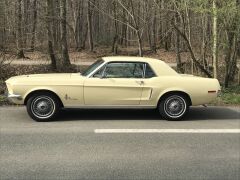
(167, 131)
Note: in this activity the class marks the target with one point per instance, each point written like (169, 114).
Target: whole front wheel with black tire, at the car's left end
(43, 106)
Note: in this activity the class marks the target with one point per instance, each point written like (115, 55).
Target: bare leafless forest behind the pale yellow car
(200, 37)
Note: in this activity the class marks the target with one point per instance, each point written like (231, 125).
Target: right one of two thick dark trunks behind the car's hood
(64, 47)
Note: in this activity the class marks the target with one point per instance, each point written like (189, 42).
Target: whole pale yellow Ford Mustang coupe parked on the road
(113, 82)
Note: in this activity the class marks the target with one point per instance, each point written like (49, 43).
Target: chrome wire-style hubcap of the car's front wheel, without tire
(43, 107)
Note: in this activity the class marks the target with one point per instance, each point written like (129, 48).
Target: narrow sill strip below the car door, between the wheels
(112, 107)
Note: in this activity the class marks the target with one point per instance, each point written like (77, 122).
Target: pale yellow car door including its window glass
(116, 84)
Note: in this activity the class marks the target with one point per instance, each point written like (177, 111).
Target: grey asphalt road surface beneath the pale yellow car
(69, 148)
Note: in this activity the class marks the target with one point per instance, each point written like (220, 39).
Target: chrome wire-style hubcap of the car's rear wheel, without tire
(175, 106)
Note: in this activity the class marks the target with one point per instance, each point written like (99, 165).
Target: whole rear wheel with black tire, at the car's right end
(173, 107)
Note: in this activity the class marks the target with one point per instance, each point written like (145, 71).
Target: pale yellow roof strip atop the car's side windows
(129, 58)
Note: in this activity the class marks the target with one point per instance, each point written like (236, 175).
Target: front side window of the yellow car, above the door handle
(124, 70)
